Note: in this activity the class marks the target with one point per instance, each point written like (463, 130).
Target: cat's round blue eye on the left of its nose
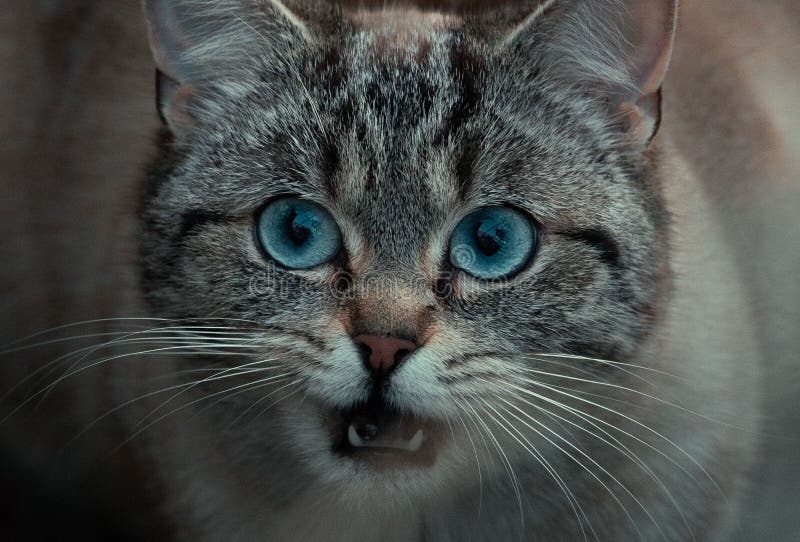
(298, 234)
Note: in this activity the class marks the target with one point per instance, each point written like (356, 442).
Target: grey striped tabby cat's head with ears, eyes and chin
(400, 337)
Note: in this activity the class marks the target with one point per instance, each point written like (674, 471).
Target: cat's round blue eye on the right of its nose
(493, 242)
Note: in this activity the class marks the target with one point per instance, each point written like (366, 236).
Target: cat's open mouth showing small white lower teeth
(382, 437)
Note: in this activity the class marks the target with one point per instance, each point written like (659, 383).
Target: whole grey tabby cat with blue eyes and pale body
(442, 275)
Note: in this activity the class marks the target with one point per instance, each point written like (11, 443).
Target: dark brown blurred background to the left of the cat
(76, 123)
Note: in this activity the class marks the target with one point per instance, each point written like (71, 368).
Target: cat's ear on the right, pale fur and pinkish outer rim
(615, 50)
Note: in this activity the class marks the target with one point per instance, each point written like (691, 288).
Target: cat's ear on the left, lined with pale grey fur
(205, 49)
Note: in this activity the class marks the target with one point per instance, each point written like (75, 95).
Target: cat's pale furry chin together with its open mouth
(375, 449)
